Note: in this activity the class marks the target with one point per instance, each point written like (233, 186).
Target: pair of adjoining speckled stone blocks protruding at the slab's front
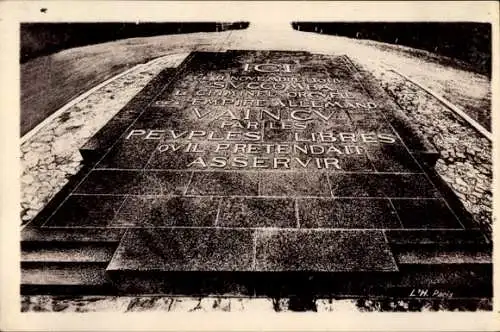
(210, 249)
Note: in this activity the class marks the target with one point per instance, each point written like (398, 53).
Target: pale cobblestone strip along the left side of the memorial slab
(51, 156)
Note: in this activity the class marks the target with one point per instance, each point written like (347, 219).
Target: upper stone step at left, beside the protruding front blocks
(68, 252)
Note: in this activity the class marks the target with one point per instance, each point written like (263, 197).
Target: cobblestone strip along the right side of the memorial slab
(465, 161)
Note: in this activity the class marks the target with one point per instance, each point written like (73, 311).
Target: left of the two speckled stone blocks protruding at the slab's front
(185, 249)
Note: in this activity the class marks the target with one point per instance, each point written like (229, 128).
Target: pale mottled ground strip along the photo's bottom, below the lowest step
(213, 304)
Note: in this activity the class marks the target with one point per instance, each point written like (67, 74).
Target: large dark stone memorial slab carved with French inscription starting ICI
(245, 167)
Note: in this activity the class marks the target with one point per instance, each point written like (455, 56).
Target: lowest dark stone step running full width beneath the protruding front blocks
(463, 280)
